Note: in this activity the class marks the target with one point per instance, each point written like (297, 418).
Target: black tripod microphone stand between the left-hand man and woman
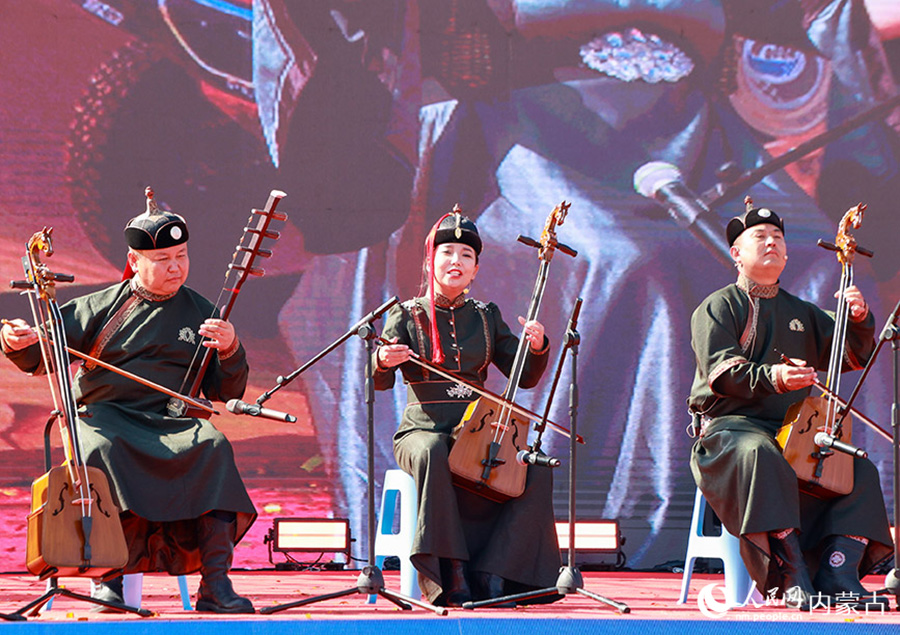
(371, 579)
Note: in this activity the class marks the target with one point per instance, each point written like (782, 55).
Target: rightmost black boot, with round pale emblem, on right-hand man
(838, 574)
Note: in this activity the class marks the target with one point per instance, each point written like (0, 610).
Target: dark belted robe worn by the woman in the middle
(515, 539)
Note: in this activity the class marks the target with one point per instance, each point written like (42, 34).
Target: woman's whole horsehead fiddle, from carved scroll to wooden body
(488, 438)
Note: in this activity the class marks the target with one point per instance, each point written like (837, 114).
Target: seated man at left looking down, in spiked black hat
(183, 504)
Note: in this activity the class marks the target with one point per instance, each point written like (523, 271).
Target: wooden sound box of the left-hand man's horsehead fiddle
(55, 545)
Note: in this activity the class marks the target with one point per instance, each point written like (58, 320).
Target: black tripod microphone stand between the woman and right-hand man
(570, 580)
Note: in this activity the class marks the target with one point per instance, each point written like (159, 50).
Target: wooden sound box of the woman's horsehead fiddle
(474, 449)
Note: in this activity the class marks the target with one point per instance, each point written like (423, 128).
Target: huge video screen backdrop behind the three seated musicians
(376, 118)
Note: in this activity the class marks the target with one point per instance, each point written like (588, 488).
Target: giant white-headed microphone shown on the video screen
(663, 182)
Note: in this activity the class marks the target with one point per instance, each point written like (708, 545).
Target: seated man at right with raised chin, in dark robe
(741, 393)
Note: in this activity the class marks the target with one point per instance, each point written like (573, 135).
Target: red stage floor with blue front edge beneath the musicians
(650, 596)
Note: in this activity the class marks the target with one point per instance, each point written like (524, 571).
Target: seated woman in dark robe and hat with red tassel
(466, 546)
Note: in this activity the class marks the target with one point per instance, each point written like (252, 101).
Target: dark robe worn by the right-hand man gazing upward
(737, 464)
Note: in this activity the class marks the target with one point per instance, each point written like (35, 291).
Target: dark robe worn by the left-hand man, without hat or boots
(165, 472)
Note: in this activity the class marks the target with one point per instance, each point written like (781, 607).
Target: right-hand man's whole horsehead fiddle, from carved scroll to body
(811, 423)
